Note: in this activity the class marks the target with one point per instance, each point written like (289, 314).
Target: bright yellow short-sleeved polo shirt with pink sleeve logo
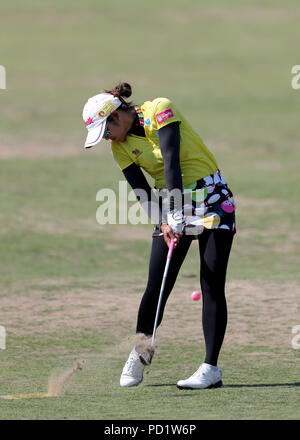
(196, 161)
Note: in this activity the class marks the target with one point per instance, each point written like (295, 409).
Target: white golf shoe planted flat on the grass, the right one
(206, 376)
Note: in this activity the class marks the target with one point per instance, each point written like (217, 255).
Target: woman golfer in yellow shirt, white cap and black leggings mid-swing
(157, 138)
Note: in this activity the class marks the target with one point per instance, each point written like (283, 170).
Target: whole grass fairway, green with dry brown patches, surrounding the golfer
(69, 287)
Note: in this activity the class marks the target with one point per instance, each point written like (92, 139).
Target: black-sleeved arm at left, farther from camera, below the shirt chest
(143, 191)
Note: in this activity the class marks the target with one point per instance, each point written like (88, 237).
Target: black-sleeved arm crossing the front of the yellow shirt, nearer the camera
(169, 138)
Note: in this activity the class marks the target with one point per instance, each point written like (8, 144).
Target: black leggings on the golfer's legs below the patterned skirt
(214, 248)
